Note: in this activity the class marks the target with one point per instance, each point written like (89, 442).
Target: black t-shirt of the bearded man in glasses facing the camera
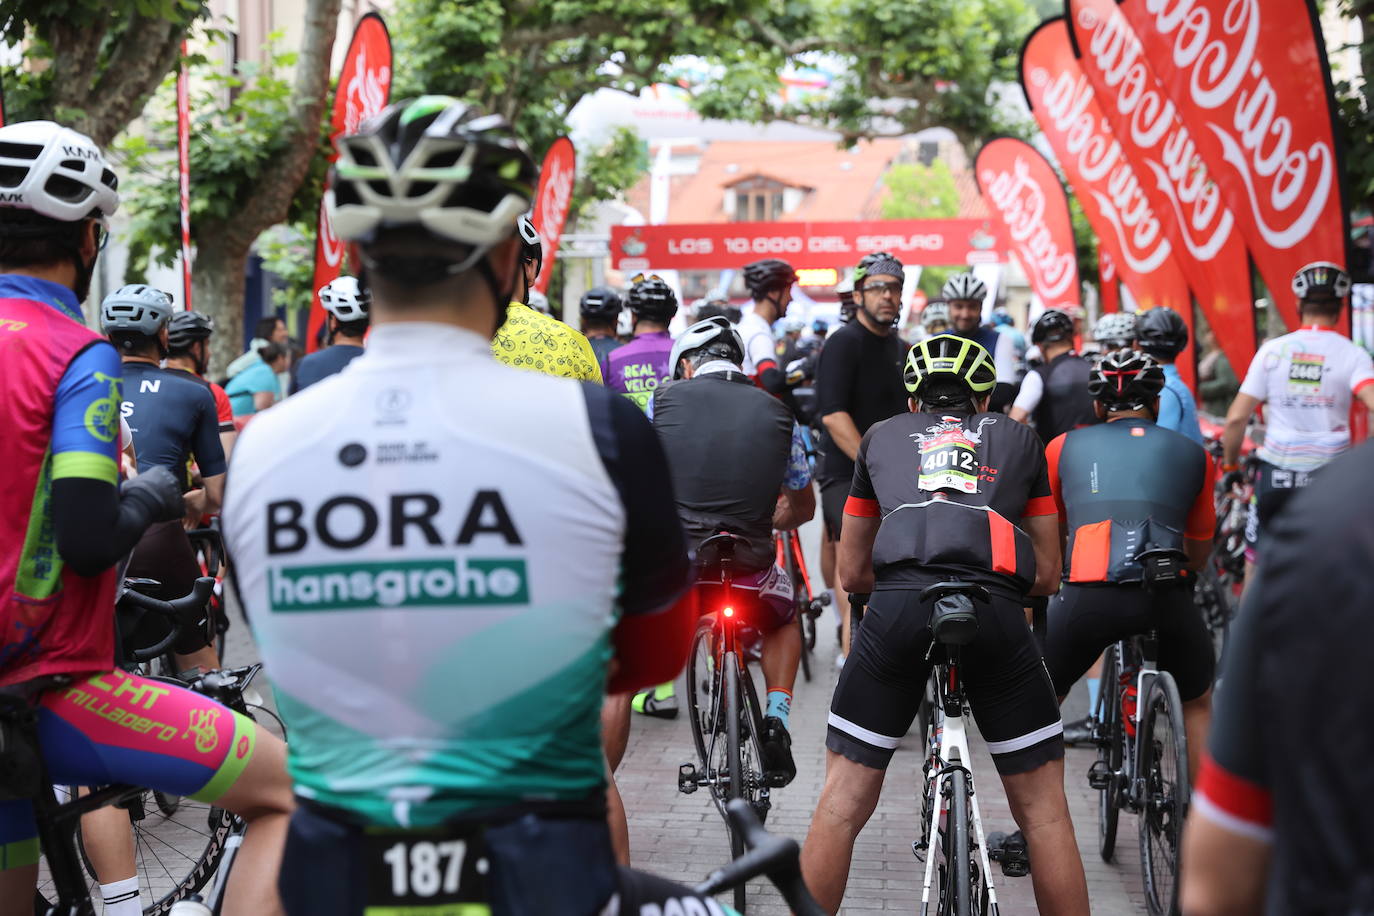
(859, 374)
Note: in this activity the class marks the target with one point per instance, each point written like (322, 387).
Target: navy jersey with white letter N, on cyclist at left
(172, 420)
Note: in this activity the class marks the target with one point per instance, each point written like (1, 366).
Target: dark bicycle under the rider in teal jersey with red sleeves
(1142, 762)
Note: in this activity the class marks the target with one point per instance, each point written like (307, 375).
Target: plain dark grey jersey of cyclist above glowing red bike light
(728, 446)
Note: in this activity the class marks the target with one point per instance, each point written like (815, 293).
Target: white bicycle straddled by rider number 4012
(953, 844)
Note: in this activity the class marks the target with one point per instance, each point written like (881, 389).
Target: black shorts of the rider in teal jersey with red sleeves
(1085, 620)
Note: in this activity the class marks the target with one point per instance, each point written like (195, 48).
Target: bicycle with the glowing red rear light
(728, 723)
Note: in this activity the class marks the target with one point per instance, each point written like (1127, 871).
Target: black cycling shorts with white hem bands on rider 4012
(886, 676)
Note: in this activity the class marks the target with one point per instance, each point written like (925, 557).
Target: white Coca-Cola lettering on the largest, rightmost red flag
(1287, 186)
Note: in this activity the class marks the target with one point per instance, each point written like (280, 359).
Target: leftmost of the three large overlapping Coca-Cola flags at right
(1101, 176)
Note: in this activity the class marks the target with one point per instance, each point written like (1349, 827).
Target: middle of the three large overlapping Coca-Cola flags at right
(1207, 242)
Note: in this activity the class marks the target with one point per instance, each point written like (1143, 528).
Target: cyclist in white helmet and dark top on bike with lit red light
(733, 450)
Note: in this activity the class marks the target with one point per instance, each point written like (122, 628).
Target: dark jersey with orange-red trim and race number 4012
(951, 492)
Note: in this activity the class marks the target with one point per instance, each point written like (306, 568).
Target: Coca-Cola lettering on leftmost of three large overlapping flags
(1112, 182)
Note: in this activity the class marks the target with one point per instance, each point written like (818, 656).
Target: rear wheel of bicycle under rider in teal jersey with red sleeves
(1164, 770)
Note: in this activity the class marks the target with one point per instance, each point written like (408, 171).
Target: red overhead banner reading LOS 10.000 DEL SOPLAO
(712, 247)
